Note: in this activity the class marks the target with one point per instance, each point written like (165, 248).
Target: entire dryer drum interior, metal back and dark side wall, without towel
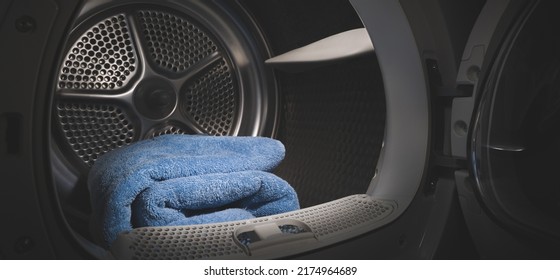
(198, 67)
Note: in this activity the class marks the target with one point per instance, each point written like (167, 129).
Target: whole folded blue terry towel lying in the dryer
(185, 180)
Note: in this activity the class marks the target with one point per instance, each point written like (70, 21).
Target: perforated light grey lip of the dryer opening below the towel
(319, 226)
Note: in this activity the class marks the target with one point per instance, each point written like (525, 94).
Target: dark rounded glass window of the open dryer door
(516, 139)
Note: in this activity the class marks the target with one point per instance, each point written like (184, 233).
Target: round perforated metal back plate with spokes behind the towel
(140, 74)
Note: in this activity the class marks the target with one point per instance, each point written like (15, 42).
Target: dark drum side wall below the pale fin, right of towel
(332, 125)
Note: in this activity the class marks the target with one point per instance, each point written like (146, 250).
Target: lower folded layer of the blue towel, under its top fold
(202, 199)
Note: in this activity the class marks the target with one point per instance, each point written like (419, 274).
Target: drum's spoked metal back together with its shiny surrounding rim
(131, 71)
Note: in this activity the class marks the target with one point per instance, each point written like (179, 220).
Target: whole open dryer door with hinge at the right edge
(510, 193)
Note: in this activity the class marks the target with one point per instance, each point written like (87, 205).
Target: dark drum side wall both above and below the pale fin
(332, 118)
